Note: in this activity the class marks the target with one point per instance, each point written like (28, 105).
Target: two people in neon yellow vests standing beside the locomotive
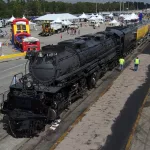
(136, 63)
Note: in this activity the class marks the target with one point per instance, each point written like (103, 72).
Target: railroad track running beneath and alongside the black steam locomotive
(102, 86)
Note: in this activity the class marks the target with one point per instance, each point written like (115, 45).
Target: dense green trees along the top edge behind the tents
(18, 8)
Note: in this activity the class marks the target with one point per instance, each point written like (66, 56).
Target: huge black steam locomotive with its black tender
(59, 74)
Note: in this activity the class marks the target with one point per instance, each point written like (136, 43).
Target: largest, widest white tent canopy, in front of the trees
(52, 17)
